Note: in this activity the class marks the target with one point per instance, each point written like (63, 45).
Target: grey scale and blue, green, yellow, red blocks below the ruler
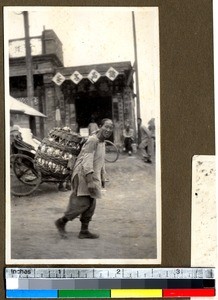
(108, 288)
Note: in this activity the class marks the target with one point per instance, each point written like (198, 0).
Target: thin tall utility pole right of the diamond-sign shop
(138, 112)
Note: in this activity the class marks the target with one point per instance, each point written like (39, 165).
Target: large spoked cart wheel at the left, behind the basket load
(24, 177)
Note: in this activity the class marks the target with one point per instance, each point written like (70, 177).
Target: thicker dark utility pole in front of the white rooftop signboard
(29, 77)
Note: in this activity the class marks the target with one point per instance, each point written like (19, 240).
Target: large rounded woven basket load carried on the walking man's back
(61, 146)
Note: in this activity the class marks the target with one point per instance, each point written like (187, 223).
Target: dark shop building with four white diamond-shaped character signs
(71, 96)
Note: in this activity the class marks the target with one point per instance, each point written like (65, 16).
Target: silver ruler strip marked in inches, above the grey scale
(111, 273)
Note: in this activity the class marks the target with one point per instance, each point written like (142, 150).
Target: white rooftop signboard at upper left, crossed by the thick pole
(17, 47)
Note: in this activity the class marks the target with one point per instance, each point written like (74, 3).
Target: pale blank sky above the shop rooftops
(92, 35)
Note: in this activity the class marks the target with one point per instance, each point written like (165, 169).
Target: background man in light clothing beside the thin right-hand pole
(146, 142)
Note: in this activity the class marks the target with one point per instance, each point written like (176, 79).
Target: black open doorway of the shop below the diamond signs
(93, 107)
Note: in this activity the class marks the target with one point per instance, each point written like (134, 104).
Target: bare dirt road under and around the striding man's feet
(125, 218)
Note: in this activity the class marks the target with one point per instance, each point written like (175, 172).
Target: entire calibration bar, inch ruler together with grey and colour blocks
(109, 283)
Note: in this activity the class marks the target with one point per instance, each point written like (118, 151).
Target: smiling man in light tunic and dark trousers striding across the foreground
(87, 179)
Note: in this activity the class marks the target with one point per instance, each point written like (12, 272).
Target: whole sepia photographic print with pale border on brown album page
(82, 135)
